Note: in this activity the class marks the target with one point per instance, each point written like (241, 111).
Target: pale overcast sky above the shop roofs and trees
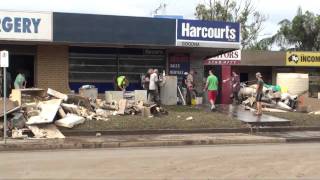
(275, 10)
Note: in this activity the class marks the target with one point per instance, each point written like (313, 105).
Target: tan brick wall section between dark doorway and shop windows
(52, 67)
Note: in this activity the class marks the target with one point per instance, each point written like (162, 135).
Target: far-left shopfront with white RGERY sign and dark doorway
(19, 34)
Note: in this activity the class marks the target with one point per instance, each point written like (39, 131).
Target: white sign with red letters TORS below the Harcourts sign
(229, 58)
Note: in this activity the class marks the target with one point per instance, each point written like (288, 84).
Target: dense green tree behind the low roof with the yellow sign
(301, 33)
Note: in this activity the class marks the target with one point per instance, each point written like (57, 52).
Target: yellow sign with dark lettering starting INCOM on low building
(301, 58)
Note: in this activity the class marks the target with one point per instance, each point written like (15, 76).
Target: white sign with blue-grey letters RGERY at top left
(25, 26)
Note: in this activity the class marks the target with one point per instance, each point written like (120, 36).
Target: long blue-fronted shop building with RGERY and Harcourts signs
(65, 51)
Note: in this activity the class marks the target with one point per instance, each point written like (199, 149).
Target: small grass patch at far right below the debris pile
(299, 119)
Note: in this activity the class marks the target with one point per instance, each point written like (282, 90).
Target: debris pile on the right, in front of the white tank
(273, 100)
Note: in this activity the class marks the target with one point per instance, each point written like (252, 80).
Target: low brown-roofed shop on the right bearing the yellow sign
(270, 63)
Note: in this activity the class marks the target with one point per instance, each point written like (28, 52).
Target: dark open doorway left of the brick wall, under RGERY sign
(23, 63)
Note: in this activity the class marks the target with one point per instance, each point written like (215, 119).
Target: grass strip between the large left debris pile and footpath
(176, 119)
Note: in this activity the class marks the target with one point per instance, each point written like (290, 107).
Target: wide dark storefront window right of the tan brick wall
(100, 66)
